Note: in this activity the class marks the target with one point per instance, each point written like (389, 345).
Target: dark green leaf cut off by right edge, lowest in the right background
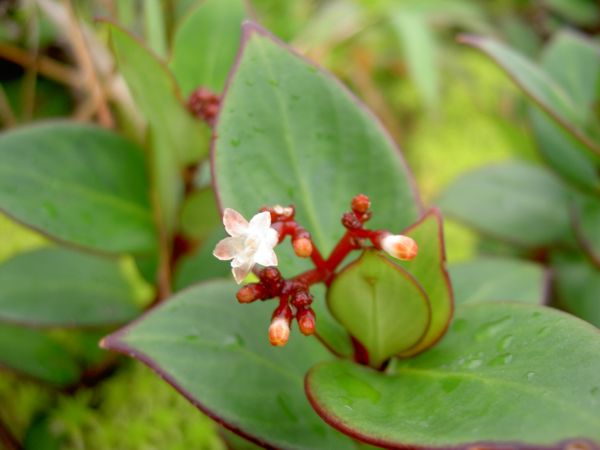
(577, 284)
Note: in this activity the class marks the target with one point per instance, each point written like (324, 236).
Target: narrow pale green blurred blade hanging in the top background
(420, 52)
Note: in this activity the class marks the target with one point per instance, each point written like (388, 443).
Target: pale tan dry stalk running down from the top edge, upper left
(84, 59)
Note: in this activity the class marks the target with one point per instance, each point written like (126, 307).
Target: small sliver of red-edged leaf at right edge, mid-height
(586, 223)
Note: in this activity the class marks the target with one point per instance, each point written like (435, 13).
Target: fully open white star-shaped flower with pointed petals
(250, 243)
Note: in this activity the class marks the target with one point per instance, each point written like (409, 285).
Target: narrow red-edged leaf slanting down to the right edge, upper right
(544, 90)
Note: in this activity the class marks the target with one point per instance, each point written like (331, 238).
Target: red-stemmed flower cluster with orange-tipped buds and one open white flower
(251, 243)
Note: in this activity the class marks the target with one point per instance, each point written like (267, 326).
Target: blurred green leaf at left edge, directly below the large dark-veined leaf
(58, 287)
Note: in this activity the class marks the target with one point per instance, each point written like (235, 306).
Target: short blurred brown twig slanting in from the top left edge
(46, 66)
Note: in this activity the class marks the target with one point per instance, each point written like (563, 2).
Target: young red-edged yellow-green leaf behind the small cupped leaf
(429, 269)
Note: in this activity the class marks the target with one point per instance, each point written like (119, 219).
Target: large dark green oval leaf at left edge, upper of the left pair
(79, 184)
